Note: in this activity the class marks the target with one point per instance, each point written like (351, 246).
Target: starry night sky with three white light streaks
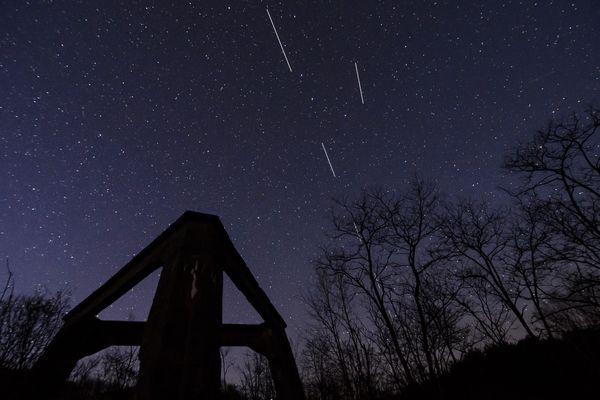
(116, 116)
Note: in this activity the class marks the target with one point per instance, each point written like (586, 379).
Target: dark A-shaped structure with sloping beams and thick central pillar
(179, 343)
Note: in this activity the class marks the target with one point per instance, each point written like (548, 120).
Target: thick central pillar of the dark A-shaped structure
(179, 356)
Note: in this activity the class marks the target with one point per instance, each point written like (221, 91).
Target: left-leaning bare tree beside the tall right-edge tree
(477, 238)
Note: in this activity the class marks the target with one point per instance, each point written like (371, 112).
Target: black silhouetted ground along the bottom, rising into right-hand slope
(566, 368)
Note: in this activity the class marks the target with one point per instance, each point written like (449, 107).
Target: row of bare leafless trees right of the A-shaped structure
(411, 281)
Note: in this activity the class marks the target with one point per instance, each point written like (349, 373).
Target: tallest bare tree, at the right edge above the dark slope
(560, 170)
